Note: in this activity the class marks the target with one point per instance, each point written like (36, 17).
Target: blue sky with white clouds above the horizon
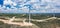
(35, 6)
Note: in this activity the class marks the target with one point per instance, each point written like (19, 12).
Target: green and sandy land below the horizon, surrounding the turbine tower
(46, 20)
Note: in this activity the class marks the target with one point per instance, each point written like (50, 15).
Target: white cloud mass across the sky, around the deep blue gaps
(47, 9)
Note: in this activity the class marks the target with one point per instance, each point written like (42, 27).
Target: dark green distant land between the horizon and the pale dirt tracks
(33, 15)
